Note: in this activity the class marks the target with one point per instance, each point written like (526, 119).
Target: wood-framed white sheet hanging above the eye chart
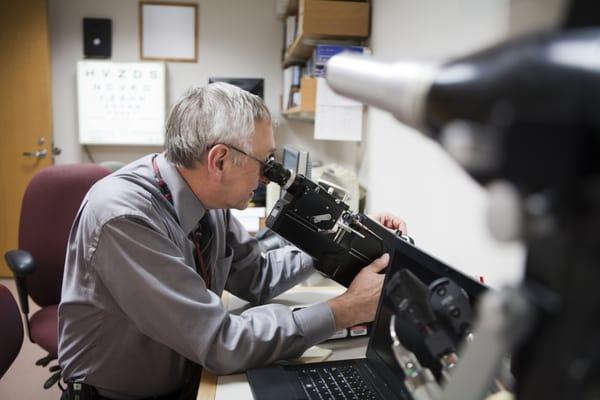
(168, 31)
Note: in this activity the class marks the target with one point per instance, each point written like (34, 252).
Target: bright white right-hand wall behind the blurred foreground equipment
(410, 175)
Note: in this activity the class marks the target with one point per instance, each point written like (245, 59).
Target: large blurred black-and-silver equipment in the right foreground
(524, 116)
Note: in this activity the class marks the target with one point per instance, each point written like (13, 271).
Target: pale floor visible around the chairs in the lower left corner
(24, 380)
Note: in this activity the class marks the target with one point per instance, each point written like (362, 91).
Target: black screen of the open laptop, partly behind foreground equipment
(379, 351)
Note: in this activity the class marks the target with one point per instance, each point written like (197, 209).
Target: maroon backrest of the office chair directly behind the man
(50, 204)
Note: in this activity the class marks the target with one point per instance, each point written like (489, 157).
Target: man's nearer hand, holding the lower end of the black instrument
(359, 303)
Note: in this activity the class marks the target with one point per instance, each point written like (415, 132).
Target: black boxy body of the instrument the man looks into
(310, 217)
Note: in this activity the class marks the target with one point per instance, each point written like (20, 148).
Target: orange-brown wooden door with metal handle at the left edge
(25, 111)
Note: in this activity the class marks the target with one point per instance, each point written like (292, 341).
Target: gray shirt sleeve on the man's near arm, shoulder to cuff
(168, 301)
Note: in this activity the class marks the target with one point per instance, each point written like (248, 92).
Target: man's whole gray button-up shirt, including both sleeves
(133, 306)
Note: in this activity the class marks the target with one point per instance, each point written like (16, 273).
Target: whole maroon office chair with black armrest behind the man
(50, 204)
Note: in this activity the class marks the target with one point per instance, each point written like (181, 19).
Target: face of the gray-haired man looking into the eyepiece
(246, 174)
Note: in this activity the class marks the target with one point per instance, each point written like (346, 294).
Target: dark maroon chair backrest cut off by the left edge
(11, 334)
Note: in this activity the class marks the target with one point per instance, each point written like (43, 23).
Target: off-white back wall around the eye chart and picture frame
(237, 38)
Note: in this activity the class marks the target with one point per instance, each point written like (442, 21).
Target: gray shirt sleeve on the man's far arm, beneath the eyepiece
(257, 278)
